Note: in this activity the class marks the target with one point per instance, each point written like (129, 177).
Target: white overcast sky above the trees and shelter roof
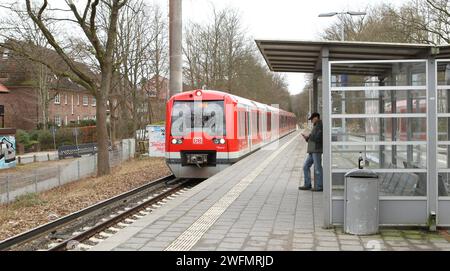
(278, 19)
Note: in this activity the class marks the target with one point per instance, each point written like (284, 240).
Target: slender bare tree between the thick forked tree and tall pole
(142, 49)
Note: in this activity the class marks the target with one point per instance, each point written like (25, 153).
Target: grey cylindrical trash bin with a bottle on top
(361, 205)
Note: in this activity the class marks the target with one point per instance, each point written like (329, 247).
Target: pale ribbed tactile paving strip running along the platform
(192, 235)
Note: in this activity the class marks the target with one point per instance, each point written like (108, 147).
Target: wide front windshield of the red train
(198, 116)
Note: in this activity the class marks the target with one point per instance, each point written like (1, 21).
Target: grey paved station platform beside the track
(254, 205)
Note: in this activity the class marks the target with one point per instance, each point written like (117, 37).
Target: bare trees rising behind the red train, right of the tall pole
(221, 56)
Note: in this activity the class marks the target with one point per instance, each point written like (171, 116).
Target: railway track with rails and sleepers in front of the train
(83, 229)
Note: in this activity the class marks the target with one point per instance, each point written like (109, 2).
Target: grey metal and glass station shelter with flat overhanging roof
(390, 104)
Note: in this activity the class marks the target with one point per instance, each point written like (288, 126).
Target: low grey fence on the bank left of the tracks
(13, 185)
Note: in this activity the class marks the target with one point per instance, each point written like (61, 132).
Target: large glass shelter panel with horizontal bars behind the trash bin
(379, 112)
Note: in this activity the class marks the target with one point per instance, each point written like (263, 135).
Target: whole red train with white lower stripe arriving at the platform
(207, 131)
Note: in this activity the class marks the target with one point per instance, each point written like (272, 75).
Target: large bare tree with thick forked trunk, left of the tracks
(99, 42)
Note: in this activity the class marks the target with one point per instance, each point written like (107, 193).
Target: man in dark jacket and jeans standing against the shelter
(315, 150)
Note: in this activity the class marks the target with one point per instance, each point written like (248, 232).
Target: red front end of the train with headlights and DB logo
(196, 142)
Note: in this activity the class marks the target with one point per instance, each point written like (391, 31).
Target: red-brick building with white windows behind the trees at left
(67, 101)
